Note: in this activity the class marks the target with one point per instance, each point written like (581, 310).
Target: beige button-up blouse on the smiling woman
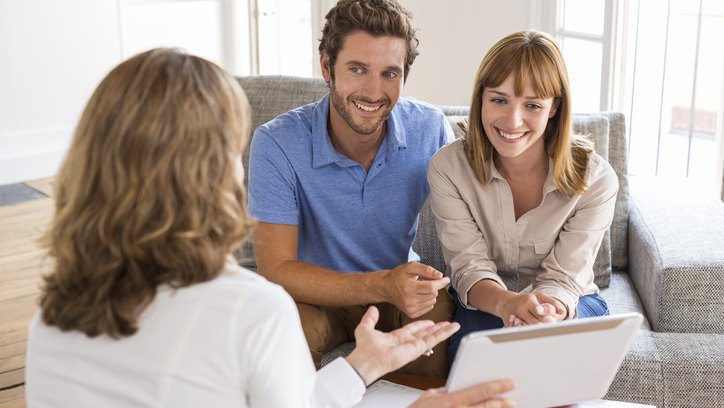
(550, 249)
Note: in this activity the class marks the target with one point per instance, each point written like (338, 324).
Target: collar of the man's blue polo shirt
(323, 153)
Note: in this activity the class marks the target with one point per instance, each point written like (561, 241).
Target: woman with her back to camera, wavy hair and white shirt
(145, 306)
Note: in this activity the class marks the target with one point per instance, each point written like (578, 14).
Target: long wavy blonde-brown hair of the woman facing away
(148, 193)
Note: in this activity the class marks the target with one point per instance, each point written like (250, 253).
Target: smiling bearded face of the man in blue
(366, 83)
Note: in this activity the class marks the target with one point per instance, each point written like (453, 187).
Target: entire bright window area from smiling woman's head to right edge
(661, 63)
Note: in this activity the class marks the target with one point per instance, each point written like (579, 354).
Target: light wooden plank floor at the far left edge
(22, 263)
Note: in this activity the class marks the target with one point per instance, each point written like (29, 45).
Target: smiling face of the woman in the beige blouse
(515, 125)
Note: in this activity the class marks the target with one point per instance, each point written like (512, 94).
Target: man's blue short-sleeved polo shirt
(348, 219)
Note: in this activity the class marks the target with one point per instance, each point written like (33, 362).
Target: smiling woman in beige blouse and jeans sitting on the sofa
(521, 203)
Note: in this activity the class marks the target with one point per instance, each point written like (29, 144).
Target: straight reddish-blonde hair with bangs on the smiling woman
(531, 55)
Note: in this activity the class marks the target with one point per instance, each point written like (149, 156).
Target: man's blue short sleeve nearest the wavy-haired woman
(272, 185)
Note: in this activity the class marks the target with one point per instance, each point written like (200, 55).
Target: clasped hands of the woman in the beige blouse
(532, 308)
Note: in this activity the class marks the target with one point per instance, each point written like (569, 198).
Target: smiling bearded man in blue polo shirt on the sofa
(337, 186)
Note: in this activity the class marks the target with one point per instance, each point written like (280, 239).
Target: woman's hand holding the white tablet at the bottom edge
(481, 395)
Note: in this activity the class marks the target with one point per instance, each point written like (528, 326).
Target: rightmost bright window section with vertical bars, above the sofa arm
(675, 94)
